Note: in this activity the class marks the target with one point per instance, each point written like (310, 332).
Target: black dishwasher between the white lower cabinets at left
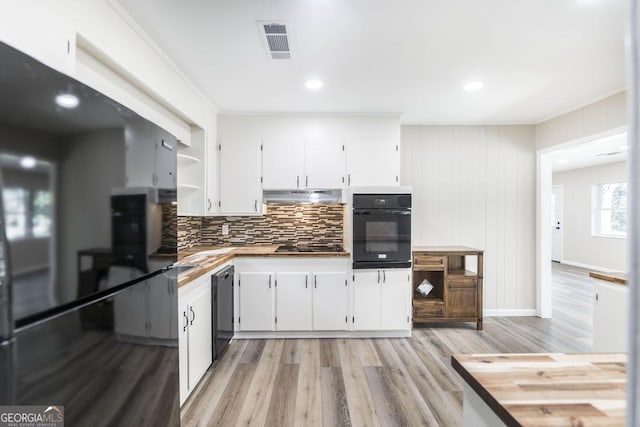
(222, 306)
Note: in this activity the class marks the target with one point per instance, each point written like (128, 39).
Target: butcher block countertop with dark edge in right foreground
(549, 389)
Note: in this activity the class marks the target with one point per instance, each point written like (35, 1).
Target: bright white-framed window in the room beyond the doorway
(610, 209)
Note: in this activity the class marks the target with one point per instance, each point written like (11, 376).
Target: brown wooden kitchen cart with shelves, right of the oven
(457, 292)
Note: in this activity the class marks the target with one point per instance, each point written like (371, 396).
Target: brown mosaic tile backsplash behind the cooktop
(299, 224)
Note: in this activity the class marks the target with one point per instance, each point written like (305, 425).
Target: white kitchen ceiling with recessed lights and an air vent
(538, 58)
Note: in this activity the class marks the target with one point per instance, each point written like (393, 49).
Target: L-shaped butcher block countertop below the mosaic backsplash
(204, 262)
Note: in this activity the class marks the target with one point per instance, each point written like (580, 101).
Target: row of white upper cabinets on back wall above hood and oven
(296, 152)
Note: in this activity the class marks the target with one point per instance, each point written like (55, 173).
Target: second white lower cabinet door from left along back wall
(293, 299)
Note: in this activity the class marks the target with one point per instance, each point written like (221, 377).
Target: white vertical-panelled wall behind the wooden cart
(475, 186)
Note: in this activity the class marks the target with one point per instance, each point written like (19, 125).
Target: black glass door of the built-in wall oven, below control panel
(381, 238)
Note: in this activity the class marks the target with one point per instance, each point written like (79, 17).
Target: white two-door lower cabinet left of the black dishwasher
(194, 301)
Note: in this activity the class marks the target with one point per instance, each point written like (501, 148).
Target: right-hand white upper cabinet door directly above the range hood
(324, 163)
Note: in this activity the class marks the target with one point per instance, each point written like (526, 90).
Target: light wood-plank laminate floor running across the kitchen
(377, 382)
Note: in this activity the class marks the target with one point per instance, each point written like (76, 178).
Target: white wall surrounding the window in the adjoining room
(580, 247)
